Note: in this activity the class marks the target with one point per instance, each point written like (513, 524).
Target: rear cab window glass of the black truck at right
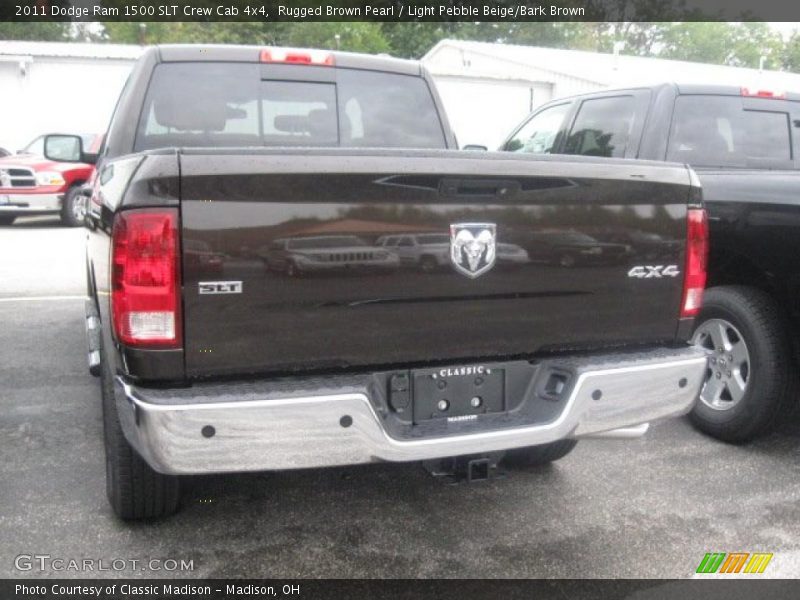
(717, 131)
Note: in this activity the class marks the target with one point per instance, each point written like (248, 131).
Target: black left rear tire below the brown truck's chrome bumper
(134, 489)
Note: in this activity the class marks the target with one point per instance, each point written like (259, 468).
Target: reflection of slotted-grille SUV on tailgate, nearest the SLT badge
(325, 254)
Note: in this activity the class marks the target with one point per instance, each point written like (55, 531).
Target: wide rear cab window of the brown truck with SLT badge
(228, 105)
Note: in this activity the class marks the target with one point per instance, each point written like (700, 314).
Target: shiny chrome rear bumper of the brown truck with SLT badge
(254, 431)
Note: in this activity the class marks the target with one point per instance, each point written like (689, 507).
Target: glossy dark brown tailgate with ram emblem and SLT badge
(282, 270)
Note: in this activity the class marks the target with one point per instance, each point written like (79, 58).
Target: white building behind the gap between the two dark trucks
(489, 88)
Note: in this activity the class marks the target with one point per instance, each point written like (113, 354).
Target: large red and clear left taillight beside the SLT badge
(146, 285)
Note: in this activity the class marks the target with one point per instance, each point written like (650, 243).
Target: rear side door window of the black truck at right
(602, 128)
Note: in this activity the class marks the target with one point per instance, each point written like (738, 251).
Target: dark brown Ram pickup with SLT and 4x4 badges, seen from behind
(210, 363)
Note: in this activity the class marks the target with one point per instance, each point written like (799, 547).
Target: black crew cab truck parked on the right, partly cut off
(744, 145)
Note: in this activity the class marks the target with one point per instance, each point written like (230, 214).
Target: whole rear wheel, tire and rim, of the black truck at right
(748, 323)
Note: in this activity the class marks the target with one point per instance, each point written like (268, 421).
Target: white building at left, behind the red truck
(59, 87)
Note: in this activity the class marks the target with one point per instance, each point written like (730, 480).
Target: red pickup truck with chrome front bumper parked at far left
(33, 185)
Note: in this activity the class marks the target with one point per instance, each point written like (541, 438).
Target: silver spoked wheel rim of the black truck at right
(728, 366)
